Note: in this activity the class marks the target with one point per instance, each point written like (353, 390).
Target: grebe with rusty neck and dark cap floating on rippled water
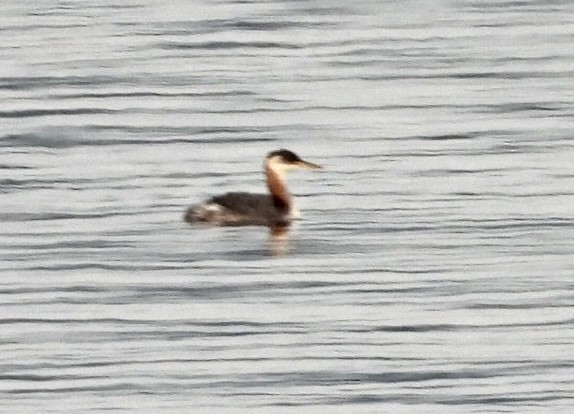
(275, 210)
